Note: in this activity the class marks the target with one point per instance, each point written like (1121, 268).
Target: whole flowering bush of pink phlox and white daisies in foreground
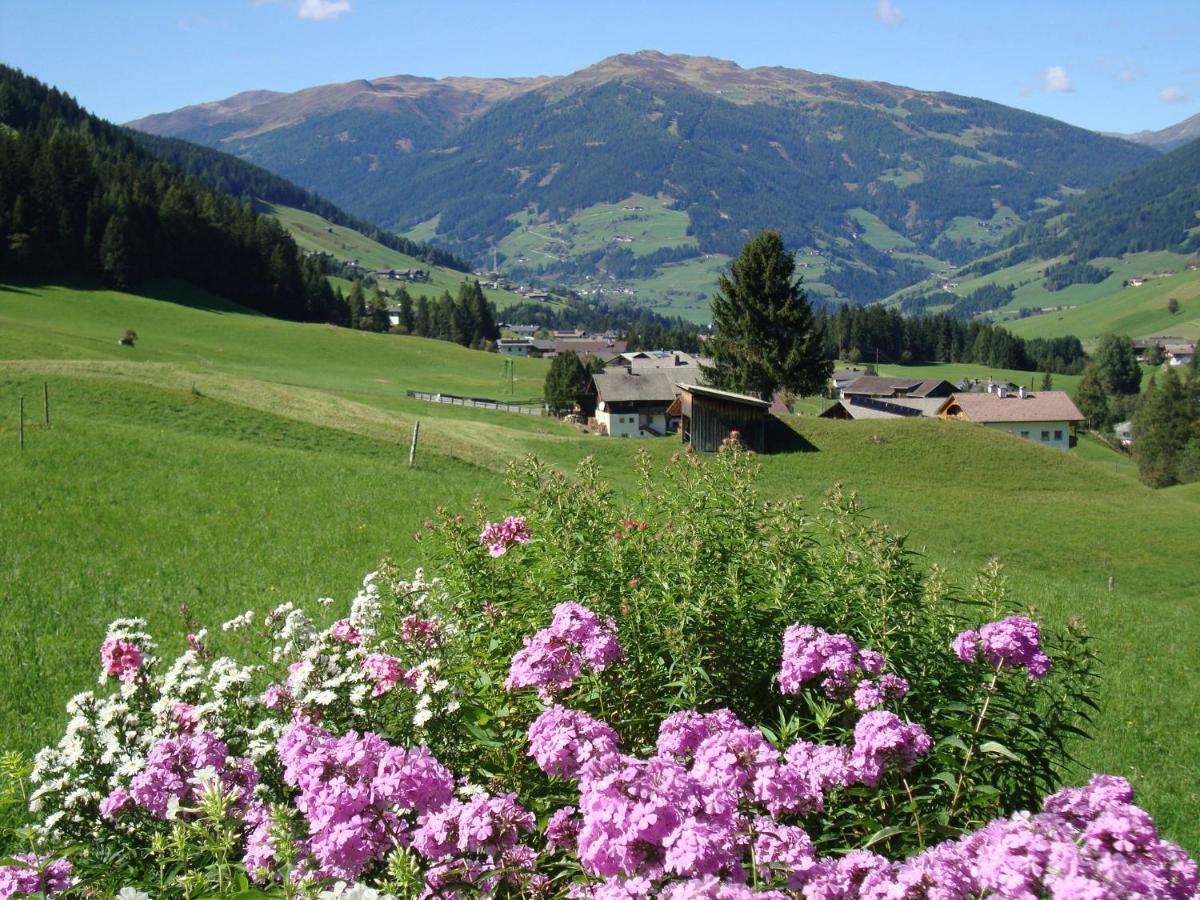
(688, 694)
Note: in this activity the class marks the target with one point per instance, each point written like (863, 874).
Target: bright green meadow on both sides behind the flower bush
(231, 461)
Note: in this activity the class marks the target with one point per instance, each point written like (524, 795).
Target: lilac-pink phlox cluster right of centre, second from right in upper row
(811, 652)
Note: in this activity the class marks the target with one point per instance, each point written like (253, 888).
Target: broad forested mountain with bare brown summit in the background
(680, 159)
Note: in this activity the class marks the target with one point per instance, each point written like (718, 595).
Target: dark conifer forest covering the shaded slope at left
(79, 195)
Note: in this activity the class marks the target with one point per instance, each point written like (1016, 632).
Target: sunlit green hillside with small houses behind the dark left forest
(315, 233)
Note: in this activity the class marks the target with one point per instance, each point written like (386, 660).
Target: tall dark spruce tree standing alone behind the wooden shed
(766, 338)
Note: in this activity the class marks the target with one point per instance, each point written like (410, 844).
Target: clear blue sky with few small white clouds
(1108, 65)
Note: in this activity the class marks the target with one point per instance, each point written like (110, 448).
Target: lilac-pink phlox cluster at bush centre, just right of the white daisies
(555, 657)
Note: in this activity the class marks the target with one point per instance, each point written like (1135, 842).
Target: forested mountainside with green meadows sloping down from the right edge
(1113, 259)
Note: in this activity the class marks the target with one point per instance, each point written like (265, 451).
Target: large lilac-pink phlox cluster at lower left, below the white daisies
(359, 796)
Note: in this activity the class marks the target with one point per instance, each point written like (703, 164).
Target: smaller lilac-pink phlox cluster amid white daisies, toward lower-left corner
(173, 773)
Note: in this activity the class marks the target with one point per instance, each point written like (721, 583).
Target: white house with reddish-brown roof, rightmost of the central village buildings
(1048, 418)
